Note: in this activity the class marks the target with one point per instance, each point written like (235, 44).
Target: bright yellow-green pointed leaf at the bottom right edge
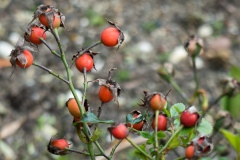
(233, 139)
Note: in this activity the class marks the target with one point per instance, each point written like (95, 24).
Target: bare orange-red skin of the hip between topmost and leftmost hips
(36, 33)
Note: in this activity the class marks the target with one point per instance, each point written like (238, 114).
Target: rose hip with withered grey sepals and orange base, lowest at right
(200, 146)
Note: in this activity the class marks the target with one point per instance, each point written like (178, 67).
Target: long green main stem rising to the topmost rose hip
(81, 108)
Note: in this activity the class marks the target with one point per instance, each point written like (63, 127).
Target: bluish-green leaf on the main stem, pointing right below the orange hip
(89, 117)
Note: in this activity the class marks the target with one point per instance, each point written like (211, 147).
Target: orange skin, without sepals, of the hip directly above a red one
(157, 102)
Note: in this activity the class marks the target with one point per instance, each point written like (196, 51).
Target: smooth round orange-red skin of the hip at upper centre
(109, 36)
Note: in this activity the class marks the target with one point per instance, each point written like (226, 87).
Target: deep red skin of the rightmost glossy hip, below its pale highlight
(188, 119)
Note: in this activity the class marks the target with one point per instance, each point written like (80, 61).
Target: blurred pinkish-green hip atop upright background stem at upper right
(194, 46)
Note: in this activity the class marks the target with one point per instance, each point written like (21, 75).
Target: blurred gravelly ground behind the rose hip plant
(32, 102)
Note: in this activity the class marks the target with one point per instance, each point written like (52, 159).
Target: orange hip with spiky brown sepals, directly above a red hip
(155, 100)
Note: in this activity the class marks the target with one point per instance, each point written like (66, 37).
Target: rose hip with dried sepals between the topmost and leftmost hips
(34, 32)
